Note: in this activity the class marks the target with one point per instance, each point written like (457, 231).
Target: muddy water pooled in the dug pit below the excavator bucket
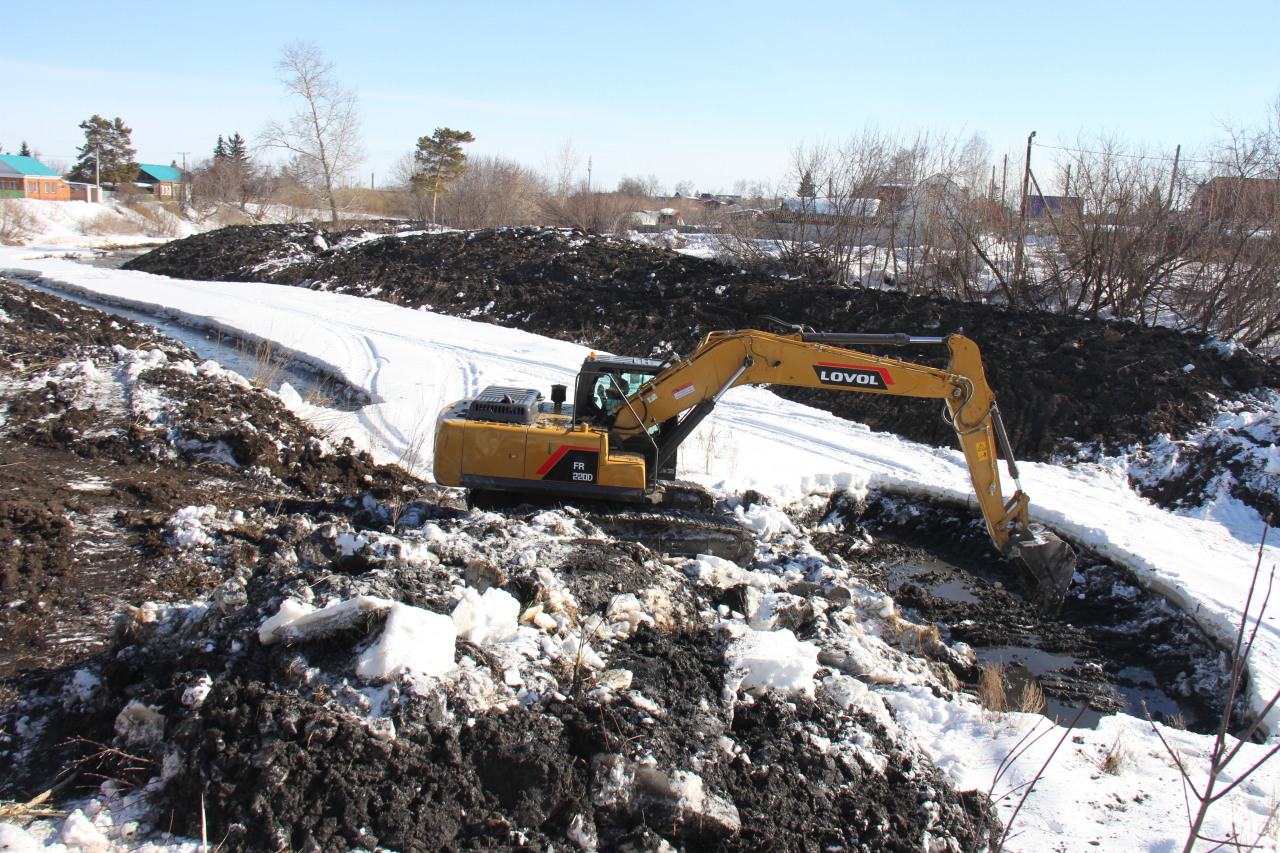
(1028, 669)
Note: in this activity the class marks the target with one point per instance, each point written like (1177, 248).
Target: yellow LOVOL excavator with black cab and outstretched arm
(619, 440)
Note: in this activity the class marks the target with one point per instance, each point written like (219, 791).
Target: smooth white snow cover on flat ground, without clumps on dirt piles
(414, 363)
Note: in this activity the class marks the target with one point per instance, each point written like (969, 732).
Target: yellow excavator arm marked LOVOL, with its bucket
(684, 394)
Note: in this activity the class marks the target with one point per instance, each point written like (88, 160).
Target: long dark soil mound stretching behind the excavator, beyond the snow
(1062, 381)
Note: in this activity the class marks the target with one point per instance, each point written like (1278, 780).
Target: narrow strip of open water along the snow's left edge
(249, 359)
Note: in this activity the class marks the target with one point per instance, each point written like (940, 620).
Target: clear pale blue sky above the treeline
(708, 93)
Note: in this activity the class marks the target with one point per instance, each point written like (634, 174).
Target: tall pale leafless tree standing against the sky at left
(324, 134)
